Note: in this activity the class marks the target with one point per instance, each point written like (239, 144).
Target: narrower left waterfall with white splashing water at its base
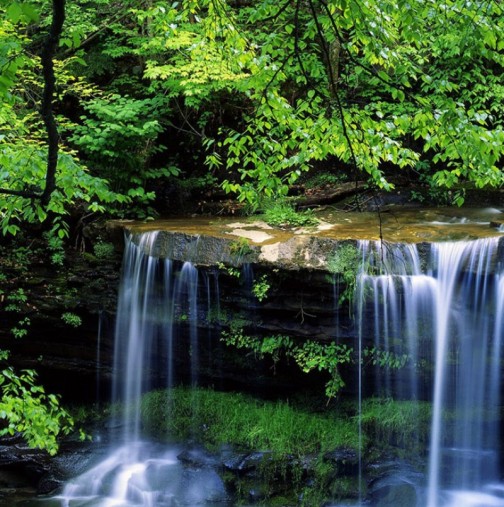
(155, 296)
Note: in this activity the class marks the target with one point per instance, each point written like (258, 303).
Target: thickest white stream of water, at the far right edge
(464, 456)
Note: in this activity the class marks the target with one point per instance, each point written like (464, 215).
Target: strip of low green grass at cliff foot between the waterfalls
(215, 418)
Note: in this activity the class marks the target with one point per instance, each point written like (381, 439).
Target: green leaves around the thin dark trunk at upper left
(23, 154)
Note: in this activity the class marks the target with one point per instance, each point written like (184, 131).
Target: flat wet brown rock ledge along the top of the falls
(208, 242)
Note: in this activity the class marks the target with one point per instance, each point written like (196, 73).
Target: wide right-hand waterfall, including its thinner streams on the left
(449, 315)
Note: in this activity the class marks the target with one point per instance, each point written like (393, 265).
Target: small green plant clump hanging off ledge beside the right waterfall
(344, 264)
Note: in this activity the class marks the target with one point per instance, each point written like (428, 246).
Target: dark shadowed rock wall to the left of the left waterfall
(84, 286)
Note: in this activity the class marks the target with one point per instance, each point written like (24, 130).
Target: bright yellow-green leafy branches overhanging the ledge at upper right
(401, 80)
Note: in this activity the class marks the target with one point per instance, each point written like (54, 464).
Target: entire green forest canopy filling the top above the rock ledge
(251, 96)
